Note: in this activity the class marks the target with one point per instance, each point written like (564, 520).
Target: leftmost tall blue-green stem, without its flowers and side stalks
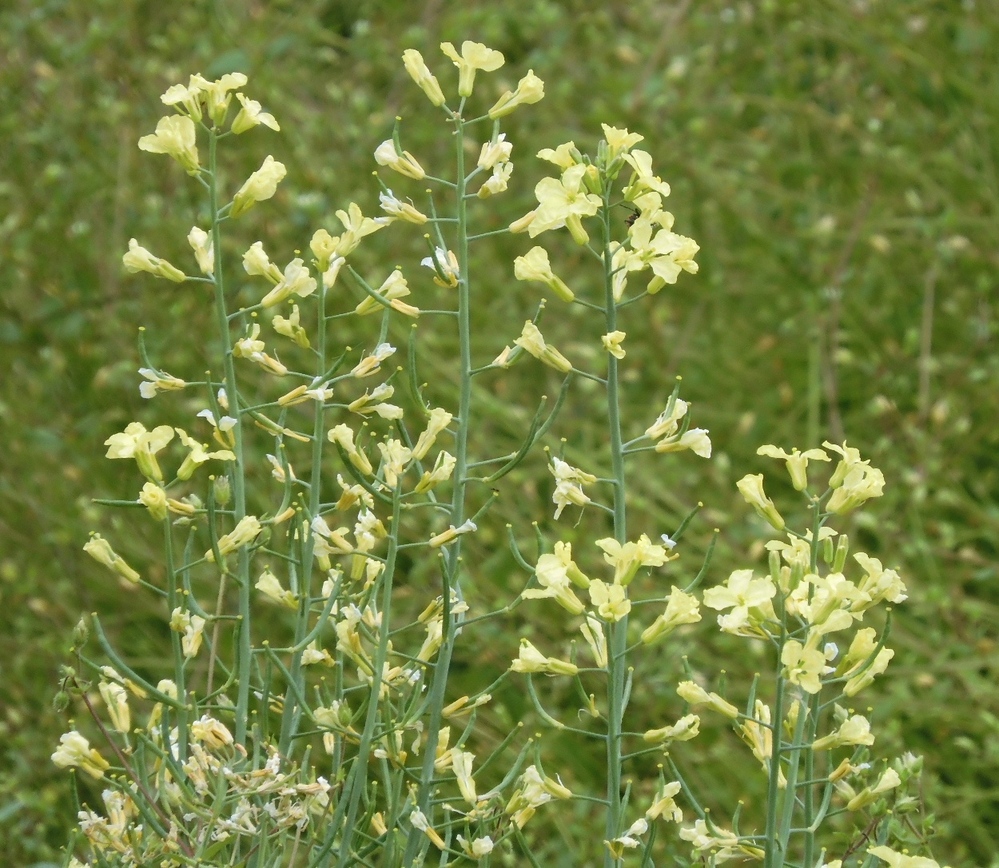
(244, 647)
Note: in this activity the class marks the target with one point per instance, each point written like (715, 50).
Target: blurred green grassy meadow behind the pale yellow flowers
(837, 162)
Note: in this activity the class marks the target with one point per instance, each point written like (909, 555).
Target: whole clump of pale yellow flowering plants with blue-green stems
(309, 715)
